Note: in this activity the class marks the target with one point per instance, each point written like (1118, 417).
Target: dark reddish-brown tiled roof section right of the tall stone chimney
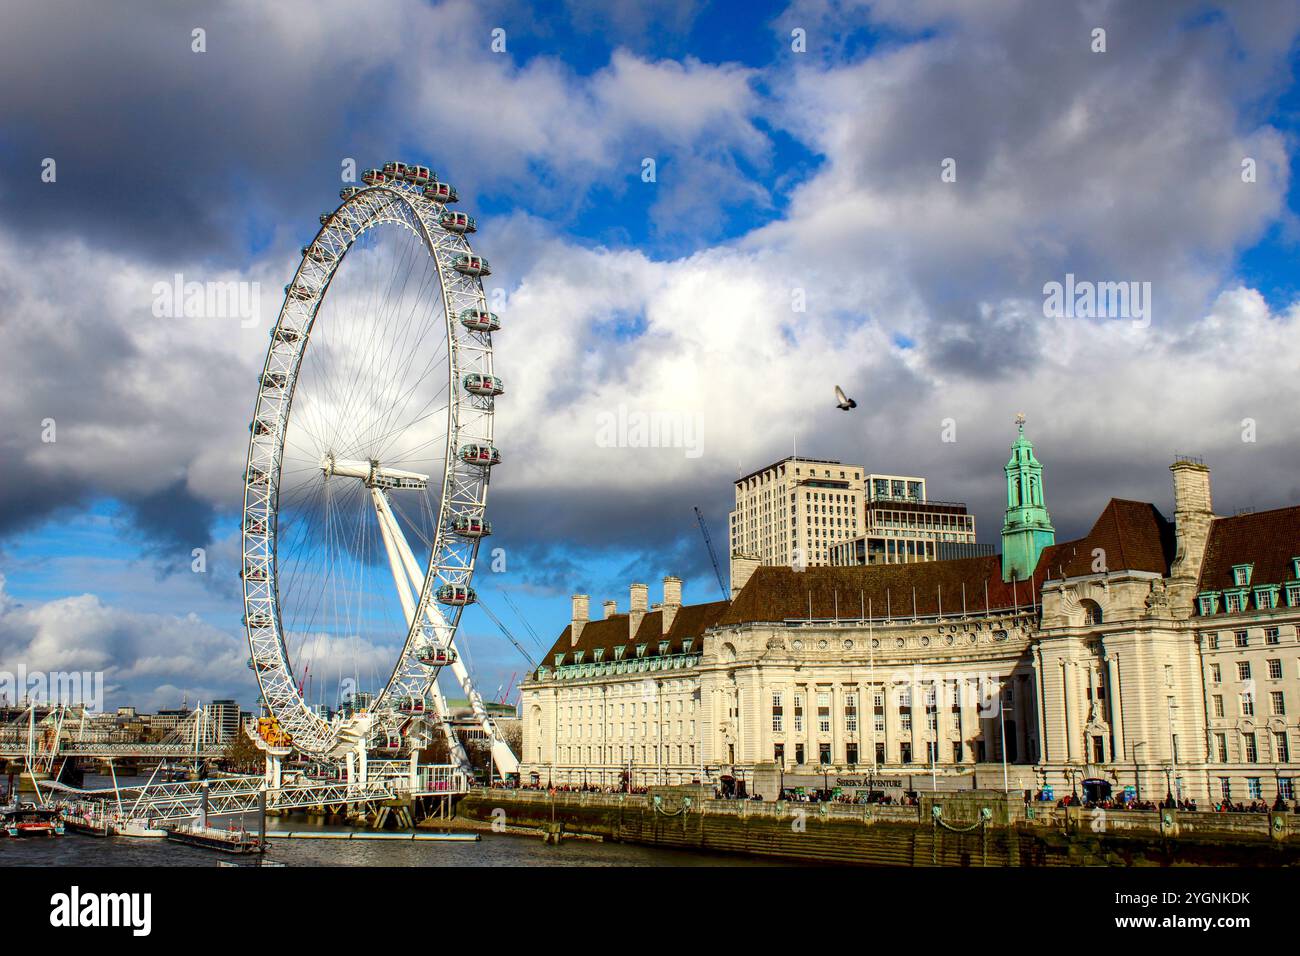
(1267, 539)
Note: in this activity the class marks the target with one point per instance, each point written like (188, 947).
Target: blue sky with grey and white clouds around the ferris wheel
(869, 194)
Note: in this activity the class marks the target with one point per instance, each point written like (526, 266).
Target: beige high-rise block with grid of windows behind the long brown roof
(794, 512)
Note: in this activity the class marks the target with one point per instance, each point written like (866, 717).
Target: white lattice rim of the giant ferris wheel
(452, 560)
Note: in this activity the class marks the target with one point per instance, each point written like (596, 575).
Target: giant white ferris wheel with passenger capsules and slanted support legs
(366, 487)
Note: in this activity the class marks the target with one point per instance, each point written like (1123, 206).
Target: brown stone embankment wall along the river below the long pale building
(972, 829)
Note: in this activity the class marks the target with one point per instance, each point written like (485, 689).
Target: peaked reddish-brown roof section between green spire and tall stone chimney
(1133, 537)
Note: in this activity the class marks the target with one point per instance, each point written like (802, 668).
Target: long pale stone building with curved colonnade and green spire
(1156, 655)
